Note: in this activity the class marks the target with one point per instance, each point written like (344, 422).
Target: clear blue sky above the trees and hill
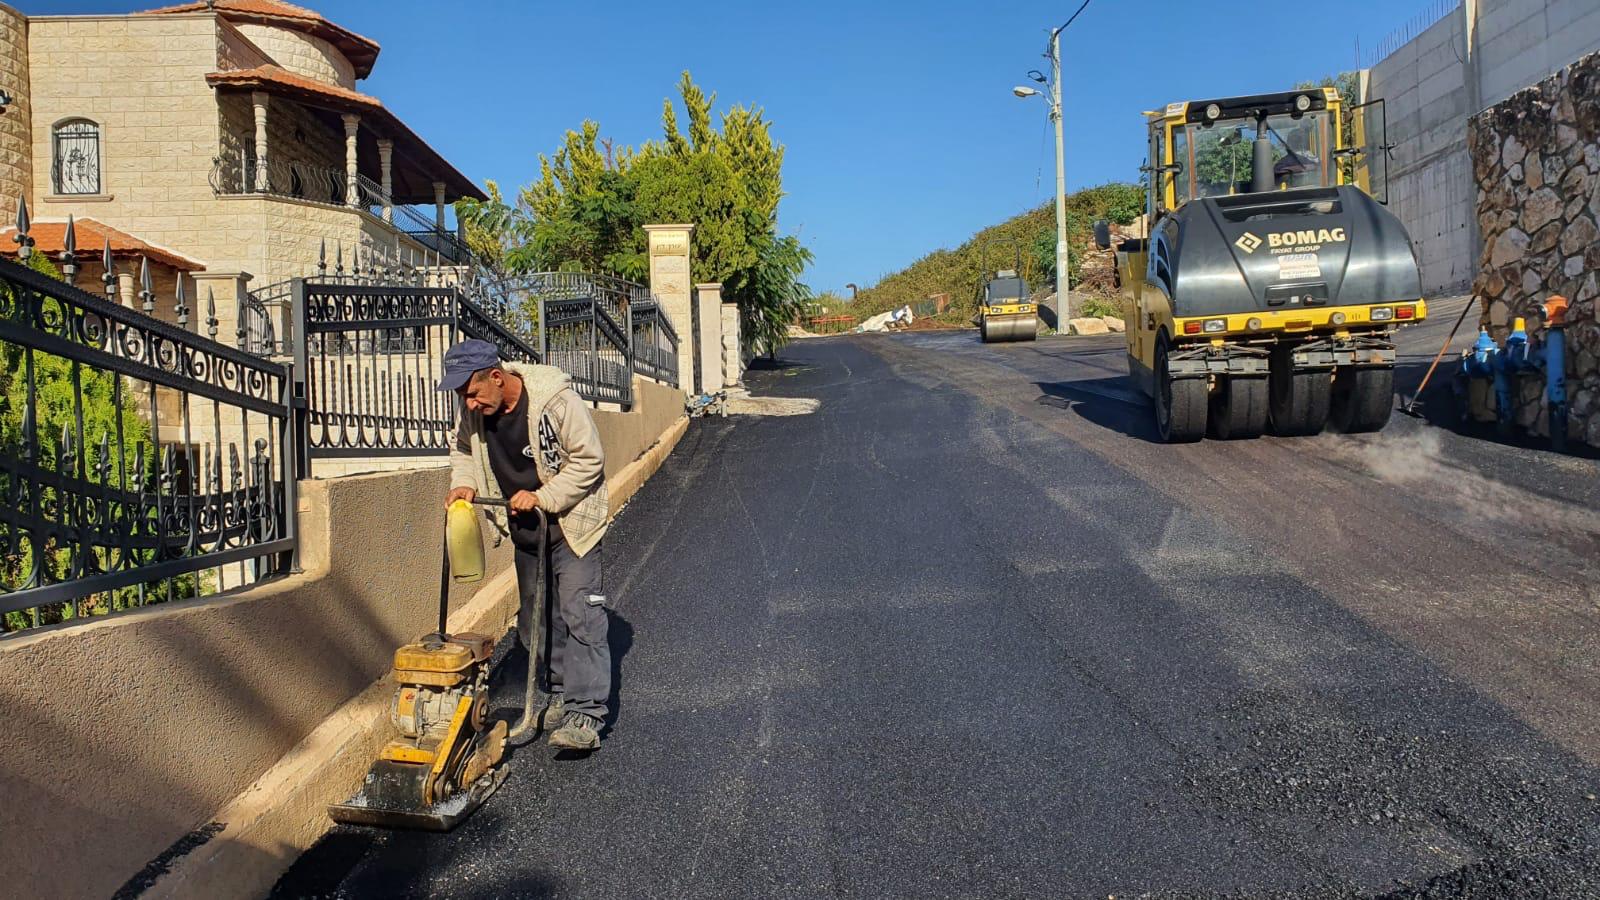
(902, 131)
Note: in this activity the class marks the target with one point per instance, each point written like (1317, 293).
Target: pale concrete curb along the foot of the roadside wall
(263, 830)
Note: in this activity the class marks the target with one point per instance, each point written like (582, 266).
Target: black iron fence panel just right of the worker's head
(586, 342)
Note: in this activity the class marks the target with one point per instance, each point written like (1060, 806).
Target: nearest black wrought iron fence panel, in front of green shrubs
(140, 462)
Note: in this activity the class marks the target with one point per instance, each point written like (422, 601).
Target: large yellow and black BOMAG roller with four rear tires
(1271, 281)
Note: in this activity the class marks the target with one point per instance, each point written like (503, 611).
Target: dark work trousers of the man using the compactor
(575, 659)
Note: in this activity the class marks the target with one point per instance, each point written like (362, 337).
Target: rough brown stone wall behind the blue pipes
(1537, 163)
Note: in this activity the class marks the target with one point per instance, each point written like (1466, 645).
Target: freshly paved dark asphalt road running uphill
(969, 632)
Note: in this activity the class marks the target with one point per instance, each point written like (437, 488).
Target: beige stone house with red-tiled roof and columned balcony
(230, 134)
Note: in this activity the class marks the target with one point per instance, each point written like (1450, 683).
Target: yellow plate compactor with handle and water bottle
(446, 758)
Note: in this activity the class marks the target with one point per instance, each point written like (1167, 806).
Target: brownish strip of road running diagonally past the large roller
(1505, 641)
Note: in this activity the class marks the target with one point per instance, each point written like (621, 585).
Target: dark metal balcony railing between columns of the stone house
(236, 174)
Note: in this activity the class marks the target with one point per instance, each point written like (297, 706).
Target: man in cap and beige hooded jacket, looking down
(526, 436)
